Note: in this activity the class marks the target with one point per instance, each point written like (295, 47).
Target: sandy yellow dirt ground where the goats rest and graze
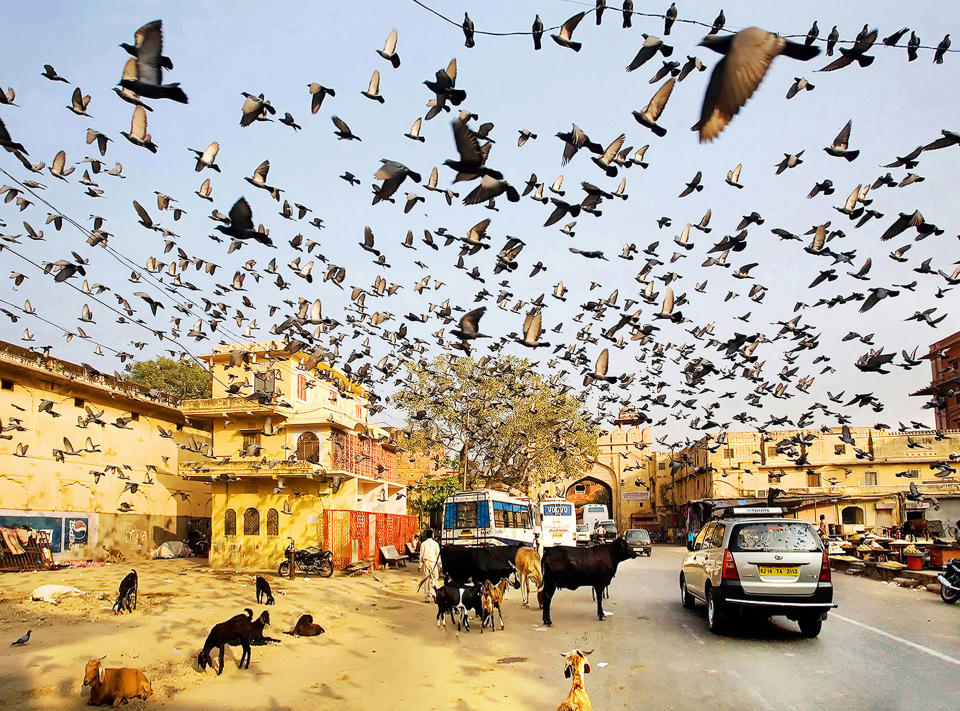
(382, 649)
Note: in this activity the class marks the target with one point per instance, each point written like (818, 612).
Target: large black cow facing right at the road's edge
(571, 567)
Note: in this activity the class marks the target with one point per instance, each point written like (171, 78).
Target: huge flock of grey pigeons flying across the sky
(370, 343)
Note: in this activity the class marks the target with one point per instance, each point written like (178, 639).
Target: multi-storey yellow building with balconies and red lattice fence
(295, 455)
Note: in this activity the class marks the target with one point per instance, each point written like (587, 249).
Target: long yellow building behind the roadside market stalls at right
(856, 486)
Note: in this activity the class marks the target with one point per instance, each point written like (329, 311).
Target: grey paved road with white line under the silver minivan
(883, 648)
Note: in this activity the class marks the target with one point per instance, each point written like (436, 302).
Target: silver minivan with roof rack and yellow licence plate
(754, 559)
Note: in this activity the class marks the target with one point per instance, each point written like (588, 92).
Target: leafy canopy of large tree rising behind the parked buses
(505, 425)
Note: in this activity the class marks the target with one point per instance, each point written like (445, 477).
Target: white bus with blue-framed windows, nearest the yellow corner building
(488, 518)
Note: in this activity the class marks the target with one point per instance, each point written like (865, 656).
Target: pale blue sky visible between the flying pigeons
(256, 47)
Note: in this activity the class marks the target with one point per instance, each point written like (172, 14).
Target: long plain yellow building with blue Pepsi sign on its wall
(93, 460)
